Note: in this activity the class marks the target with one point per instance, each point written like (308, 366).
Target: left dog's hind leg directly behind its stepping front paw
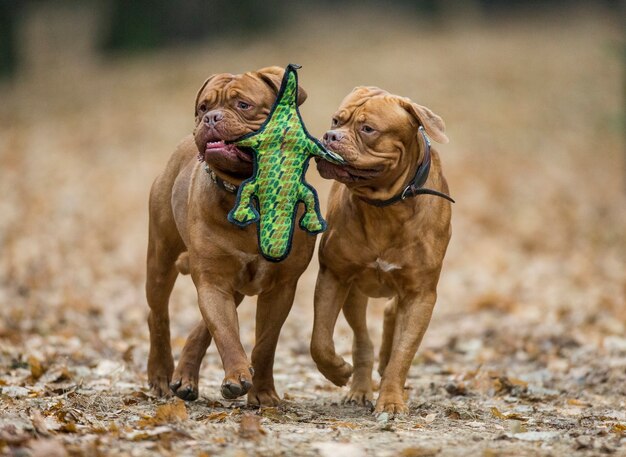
(185, 379)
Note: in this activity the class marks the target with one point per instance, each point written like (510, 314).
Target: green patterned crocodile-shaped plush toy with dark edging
(282, 148)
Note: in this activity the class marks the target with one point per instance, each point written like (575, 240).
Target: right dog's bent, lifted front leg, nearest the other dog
(330, 295)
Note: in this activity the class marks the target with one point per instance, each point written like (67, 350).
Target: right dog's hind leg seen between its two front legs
(355, 310)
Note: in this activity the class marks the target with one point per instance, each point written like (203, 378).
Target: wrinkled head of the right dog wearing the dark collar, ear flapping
(376, 133)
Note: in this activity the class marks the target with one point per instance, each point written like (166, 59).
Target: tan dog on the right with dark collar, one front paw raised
(374, 248)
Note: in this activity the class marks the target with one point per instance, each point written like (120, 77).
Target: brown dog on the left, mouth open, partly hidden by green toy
(190, 233)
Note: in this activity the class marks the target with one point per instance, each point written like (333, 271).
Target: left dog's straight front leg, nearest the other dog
(272, 309)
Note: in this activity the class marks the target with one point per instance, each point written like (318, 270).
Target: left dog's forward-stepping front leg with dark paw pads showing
(219, 312)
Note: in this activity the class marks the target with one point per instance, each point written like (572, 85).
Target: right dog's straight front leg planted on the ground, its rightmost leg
(412, 319)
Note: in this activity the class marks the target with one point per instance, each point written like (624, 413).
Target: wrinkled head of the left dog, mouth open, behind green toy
(229, 106)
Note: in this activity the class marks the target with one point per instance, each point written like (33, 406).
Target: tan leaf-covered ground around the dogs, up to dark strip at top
(526, 352)
